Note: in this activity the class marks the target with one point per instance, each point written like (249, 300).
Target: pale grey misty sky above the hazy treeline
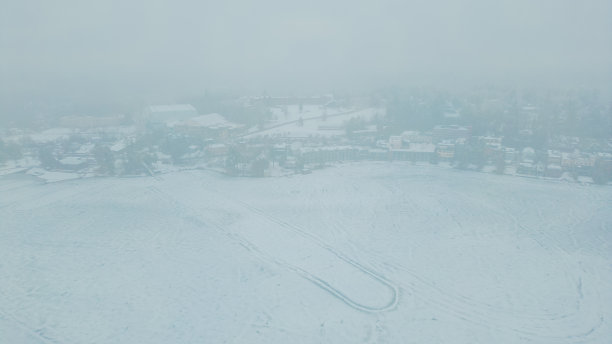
(175, 47)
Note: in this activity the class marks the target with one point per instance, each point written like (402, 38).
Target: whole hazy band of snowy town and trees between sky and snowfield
(557, 136)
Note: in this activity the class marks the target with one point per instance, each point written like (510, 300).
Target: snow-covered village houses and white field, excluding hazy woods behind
(296, 135)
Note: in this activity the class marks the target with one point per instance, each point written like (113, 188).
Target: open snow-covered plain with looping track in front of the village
(364, 253)
